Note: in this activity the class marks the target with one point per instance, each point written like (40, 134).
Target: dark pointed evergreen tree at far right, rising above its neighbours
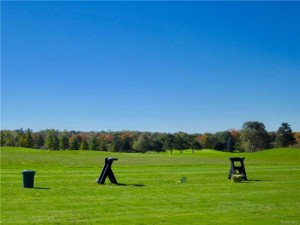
(284, 136)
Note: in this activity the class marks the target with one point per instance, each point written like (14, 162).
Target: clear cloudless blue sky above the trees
(149, 66)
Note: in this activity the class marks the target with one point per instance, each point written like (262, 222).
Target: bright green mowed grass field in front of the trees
(66, 191)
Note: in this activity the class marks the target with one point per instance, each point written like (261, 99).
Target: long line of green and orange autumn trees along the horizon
(252, 137)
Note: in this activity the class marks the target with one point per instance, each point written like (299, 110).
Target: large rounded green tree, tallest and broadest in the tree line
(254, 136)
